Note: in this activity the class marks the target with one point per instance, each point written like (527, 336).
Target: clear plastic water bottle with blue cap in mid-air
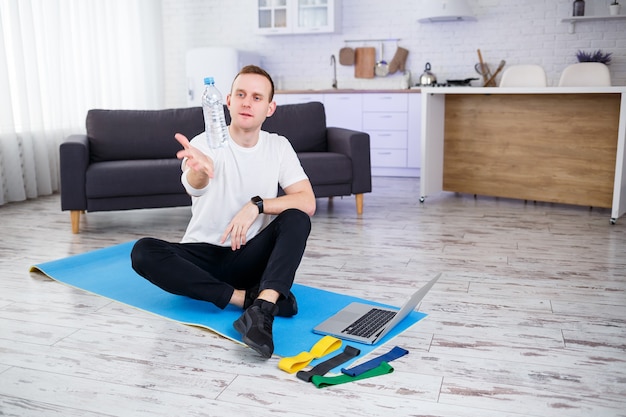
(213, 109)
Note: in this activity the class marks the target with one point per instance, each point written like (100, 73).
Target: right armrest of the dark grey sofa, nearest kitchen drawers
(355, 145)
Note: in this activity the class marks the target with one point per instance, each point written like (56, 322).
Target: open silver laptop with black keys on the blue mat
(367, 323)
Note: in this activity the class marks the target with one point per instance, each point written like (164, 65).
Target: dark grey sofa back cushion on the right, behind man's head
(304, 124)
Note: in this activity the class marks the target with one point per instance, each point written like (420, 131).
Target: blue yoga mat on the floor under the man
(107, 272)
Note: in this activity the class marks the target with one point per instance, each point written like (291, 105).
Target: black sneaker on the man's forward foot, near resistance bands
(255, 325)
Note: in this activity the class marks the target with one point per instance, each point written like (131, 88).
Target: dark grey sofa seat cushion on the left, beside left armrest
(134, 178)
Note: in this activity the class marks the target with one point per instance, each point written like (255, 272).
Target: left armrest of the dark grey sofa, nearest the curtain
(74, 160)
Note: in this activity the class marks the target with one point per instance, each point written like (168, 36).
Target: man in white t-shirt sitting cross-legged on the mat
(243, 243)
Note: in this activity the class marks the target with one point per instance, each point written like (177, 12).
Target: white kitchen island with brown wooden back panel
(556, 144)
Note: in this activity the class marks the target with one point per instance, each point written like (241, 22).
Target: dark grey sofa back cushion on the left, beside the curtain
(140, 134)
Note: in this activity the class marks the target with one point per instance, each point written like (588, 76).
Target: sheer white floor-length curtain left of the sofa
(58, 59)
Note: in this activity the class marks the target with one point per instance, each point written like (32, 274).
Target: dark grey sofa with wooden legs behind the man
(127, 160)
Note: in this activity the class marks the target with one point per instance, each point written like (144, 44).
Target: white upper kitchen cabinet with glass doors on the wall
(282, 17)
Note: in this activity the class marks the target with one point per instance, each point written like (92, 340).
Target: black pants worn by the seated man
(211, 273)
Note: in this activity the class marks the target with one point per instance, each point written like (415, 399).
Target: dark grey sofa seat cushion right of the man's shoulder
(325, 168)
